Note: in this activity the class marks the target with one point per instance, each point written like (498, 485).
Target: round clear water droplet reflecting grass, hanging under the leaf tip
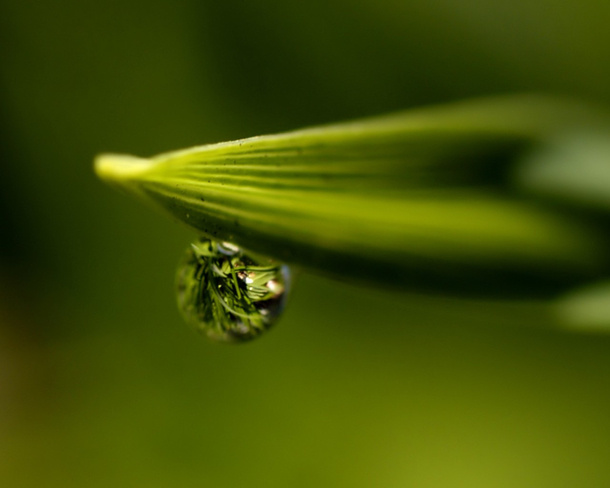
(230, 294)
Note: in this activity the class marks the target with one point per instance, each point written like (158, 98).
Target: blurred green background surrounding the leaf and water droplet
(101, 383)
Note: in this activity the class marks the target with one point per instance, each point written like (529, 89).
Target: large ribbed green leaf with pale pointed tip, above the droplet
(420, 199)
